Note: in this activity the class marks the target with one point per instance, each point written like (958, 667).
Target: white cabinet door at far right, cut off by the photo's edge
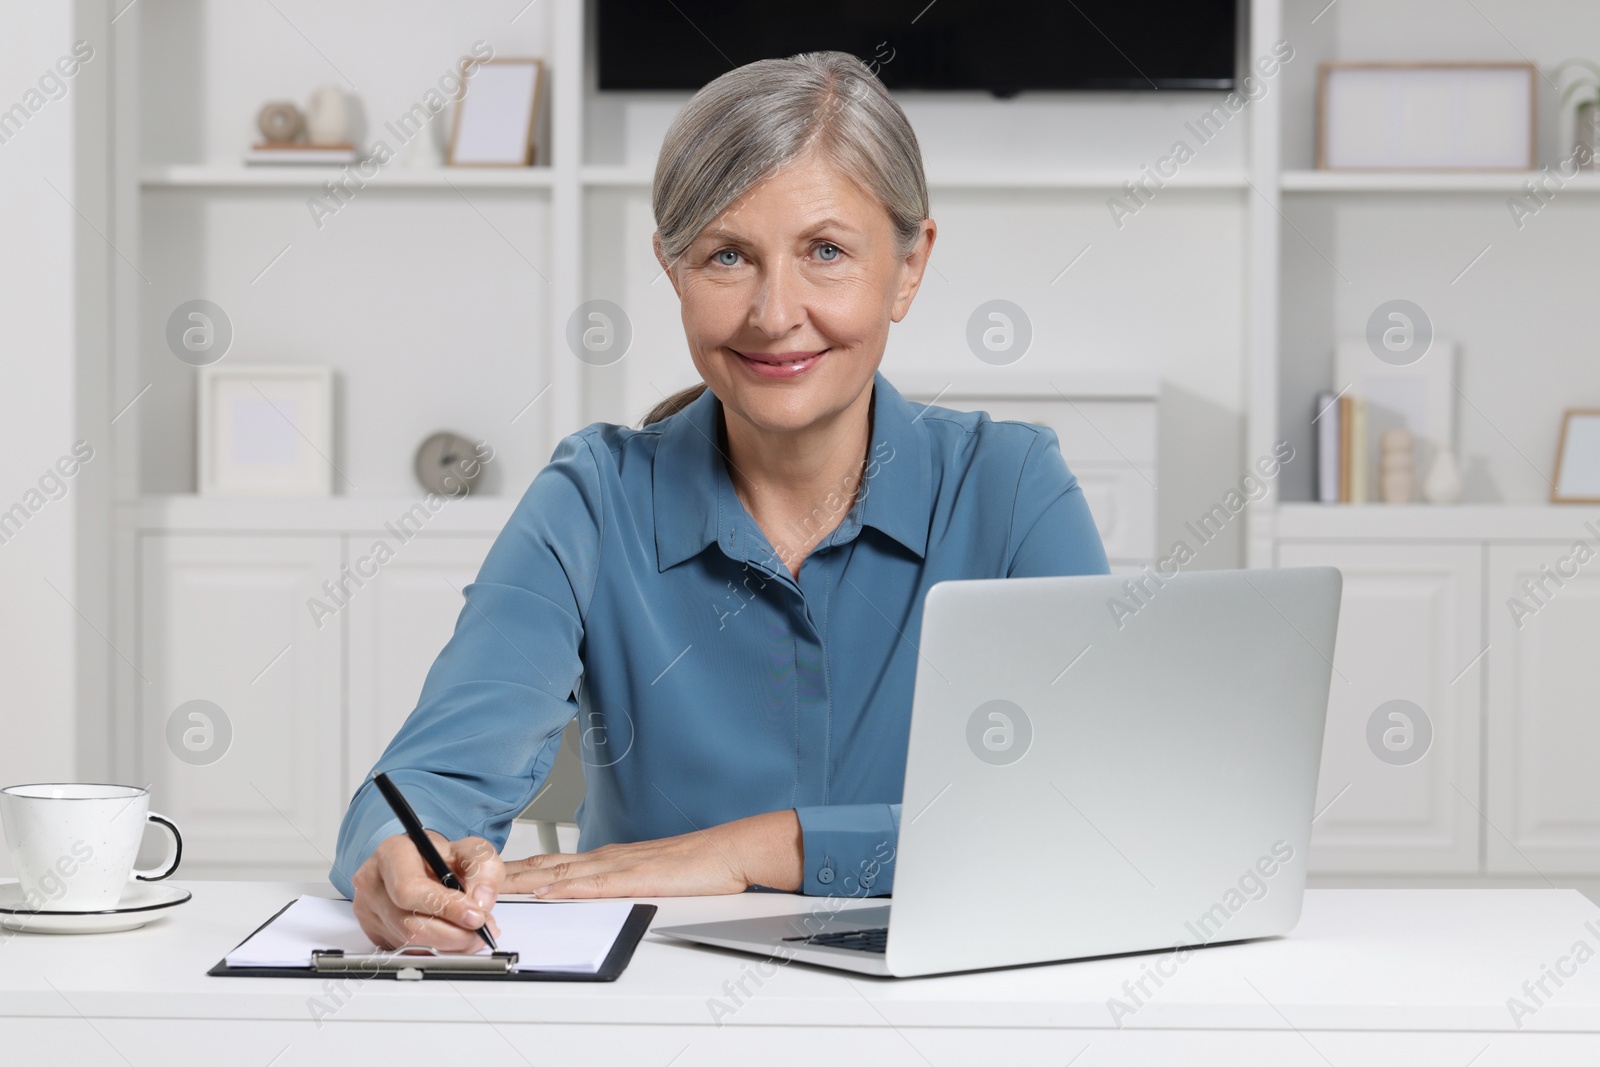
(1543, 711)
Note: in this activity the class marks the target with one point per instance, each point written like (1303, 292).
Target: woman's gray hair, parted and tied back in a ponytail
(751, 122)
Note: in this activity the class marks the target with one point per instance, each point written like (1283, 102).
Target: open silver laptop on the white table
(1097, 765)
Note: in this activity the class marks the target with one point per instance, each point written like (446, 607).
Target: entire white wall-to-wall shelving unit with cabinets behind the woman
(441, 297)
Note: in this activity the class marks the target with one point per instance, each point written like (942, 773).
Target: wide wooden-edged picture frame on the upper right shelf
(1426, 116)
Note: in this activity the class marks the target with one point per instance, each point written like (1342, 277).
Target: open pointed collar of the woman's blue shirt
(695, 503)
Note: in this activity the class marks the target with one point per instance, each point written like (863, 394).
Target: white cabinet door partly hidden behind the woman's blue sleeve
(399, 623)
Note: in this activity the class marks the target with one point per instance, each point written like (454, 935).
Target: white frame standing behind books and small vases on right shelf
(1418, 398)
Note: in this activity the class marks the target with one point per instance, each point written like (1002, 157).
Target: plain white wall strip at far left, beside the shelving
(52, 578)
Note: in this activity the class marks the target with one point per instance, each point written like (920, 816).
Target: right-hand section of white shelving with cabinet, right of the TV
(1430, 591)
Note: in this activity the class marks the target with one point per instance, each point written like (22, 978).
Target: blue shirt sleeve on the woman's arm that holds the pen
(487, 727)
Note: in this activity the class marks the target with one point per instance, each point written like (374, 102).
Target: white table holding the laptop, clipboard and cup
(1369, 978)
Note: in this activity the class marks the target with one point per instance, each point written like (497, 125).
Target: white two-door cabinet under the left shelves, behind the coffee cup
(313, 661)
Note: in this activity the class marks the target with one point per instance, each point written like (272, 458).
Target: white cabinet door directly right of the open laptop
(1410, 629)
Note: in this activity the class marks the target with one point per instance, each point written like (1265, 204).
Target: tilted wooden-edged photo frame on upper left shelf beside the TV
(497, 114)
